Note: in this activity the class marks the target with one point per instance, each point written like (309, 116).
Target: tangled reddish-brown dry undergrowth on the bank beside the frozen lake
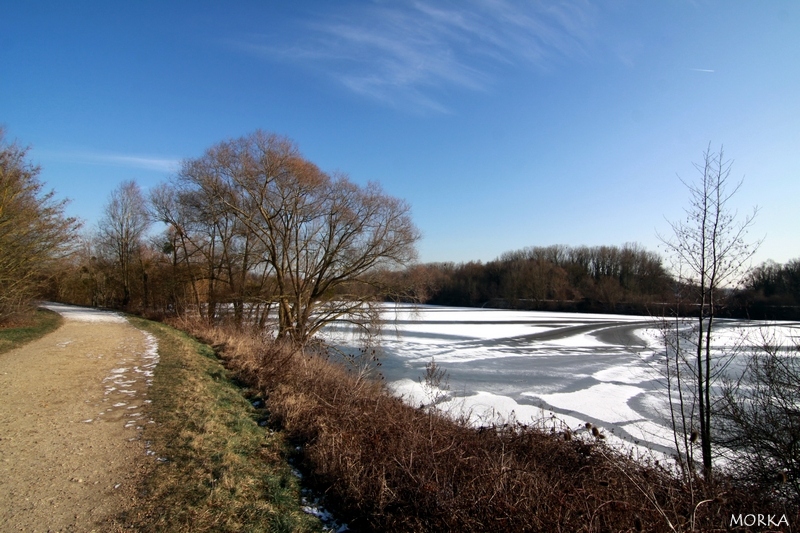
(385, 466)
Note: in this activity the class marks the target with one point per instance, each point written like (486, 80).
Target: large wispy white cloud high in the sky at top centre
(412, 53)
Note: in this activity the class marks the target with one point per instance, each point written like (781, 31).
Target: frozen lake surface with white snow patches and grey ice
(603, 369)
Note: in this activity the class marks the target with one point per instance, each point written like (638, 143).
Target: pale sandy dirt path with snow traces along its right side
(70, 423)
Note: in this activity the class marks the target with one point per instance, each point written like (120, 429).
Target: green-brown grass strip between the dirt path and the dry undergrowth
(214, 468)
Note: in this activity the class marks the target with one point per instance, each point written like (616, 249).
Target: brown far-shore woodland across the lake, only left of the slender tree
(536, 277)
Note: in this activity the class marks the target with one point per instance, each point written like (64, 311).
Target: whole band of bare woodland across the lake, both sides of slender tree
(617, 279)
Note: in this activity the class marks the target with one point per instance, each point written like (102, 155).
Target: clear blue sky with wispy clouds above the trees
(504, 124)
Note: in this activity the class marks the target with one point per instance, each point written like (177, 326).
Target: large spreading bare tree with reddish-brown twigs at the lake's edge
(322, 240)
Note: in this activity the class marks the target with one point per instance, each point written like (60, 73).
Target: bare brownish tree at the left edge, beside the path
(33, 229)
